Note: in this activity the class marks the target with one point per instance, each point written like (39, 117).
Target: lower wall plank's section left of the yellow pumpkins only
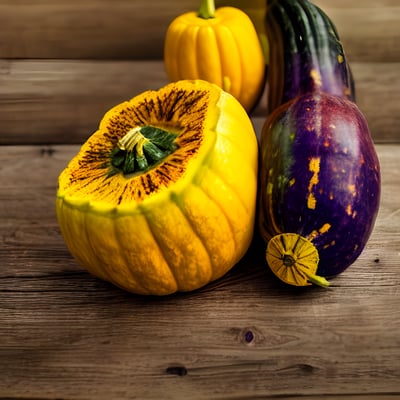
(63, 101)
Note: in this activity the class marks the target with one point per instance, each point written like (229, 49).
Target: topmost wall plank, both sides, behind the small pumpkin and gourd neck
(134, 30)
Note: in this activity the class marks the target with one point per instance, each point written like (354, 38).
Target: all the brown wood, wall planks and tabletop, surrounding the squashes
(66, 335)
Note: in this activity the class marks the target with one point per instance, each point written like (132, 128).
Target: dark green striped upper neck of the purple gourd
(305, 51)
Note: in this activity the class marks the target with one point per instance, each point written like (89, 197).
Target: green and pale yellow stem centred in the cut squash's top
(140, 149)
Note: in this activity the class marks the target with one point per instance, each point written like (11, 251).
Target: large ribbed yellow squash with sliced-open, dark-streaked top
(161, 198)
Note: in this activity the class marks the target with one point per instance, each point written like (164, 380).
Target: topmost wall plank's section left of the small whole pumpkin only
(87, 28)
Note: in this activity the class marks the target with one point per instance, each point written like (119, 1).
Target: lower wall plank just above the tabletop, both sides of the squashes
(62, 101)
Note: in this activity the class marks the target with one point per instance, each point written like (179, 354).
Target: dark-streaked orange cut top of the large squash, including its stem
(144, 145)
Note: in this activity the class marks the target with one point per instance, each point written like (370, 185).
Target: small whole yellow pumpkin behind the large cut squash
(220, 46)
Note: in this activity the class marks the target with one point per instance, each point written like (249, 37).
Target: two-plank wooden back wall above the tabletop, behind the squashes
(63, 63)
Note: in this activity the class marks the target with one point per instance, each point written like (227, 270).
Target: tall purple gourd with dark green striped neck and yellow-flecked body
(320, 175)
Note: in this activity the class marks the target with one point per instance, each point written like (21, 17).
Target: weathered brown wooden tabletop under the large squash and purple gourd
(66, 335)
